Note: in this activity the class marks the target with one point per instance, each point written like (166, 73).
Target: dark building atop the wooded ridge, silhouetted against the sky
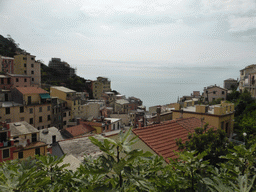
(64, 69)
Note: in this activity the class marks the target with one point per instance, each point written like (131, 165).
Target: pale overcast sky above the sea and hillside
(201, 32)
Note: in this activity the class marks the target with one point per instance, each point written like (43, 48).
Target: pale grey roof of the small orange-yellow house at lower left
(21, 128)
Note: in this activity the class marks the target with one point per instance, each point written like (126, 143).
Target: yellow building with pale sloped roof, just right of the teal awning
(68, 95)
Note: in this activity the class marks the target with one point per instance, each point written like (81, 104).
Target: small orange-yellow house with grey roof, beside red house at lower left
(26, 140)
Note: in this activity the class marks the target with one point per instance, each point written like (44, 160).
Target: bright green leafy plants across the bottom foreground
(134, 170)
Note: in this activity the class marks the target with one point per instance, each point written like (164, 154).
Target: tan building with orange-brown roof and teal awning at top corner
(35, 106)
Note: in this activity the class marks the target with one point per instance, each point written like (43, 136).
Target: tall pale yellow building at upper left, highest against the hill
(25, 64)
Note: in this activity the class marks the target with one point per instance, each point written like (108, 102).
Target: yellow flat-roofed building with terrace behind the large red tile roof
(220, 116)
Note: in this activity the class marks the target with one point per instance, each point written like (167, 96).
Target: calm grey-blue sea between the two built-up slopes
(158, 83)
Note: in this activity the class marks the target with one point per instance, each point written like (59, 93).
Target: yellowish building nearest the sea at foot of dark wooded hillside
(101, 85)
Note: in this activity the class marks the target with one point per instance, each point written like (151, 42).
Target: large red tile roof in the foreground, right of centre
(161, 138)
